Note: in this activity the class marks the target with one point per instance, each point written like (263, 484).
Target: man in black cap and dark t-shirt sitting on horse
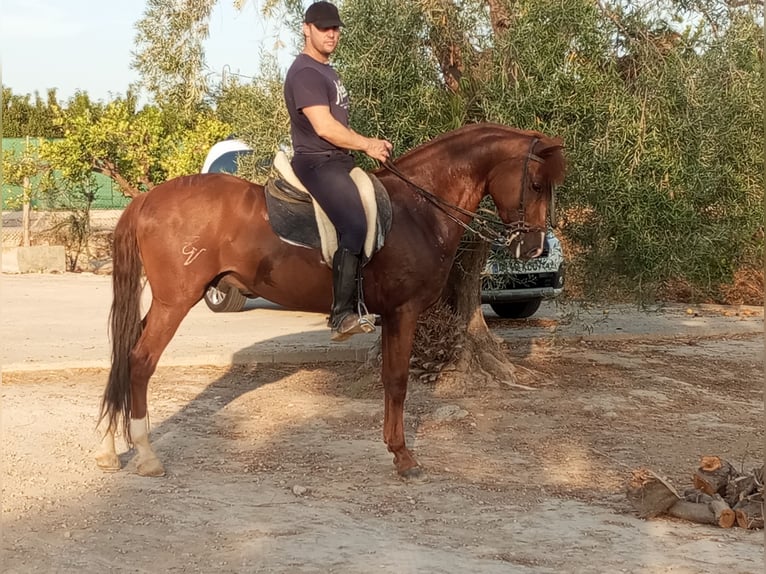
(317, 104)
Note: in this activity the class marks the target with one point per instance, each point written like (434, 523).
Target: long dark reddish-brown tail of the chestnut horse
(125, 325)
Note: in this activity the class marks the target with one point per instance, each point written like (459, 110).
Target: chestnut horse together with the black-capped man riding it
(227, 222)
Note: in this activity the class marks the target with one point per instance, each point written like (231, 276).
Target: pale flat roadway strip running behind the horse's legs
(60, 321)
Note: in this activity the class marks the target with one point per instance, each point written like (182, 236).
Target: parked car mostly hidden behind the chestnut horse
(513, 288)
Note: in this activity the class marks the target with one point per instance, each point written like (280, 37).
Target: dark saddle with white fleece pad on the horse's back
(299, 220)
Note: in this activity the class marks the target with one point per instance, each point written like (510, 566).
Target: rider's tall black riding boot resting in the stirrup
(345, 318)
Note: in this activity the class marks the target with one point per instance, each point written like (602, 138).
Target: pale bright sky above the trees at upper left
(86, 44)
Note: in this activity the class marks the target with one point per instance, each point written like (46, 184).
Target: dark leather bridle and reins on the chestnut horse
(485, 221)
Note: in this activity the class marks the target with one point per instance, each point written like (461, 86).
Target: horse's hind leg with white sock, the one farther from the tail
(161, 323)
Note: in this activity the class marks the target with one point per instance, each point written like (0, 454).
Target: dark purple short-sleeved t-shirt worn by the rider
(311, 83)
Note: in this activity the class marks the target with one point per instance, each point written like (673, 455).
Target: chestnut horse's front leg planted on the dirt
(398, 334)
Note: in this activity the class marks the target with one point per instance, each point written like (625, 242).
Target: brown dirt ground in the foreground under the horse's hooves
(281, 468)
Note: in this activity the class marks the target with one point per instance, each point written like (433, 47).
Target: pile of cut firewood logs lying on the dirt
(721, 495)
